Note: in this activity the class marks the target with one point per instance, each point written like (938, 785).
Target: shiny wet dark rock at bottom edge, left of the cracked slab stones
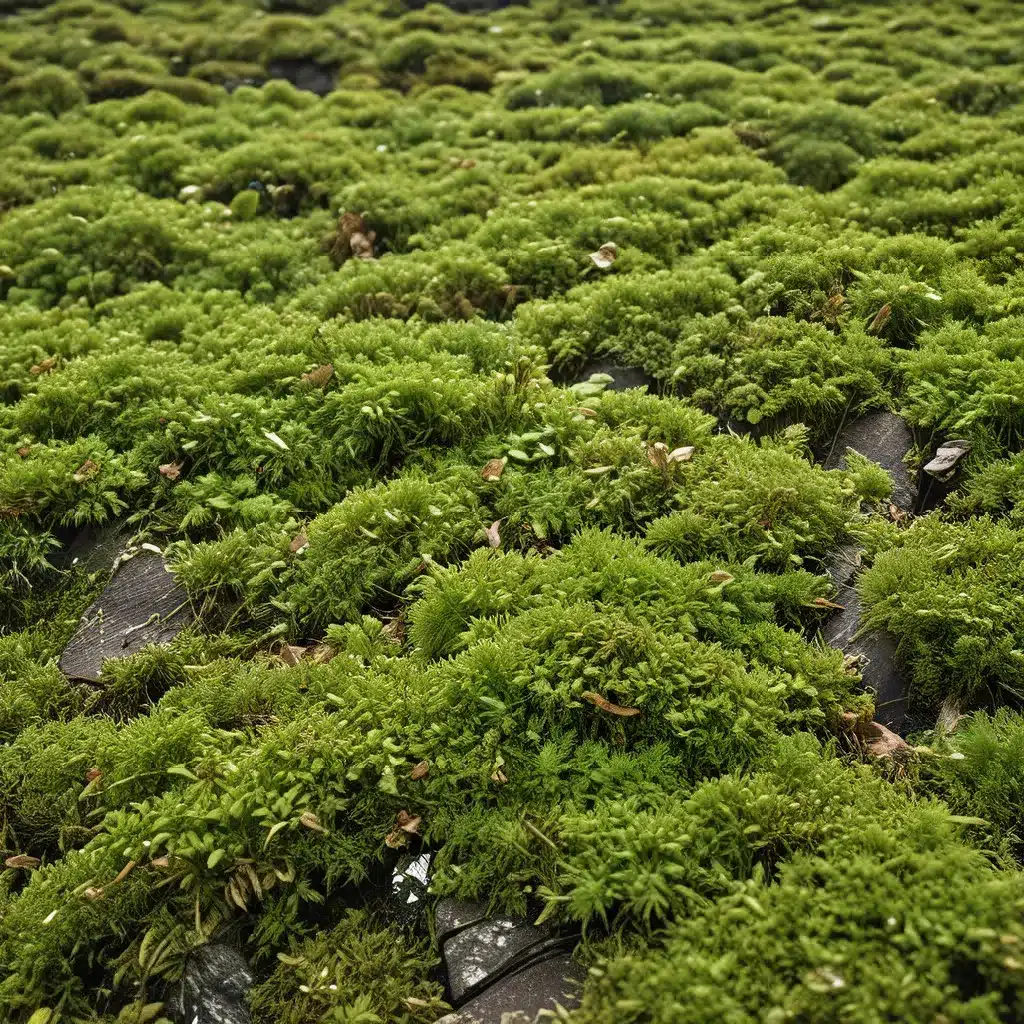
(215, 988)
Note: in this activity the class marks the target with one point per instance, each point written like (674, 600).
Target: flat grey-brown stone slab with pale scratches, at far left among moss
(141, 606)
